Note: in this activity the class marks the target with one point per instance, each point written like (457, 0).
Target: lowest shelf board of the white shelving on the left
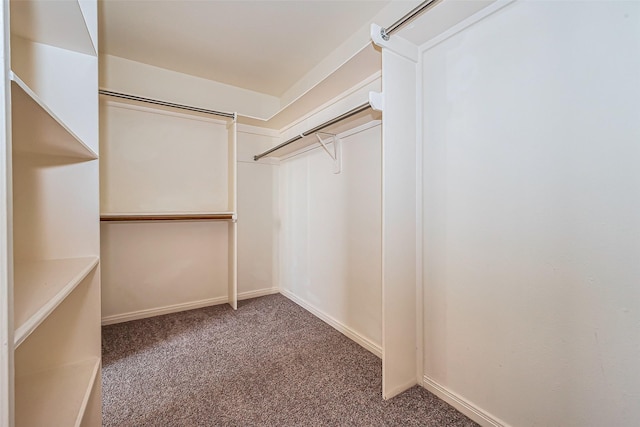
(56, 397)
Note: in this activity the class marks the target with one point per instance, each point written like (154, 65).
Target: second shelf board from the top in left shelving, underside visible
(37, 129)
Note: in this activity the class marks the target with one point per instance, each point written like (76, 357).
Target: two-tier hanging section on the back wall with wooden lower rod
(164, 169)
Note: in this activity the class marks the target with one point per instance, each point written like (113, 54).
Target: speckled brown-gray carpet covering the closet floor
(270, 363)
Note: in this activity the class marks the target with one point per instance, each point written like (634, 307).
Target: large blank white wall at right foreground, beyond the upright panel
(531, 214)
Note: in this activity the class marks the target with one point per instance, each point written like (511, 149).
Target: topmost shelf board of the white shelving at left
(56, 23)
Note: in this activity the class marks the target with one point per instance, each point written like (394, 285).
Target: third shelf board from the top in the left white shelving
(40, 286)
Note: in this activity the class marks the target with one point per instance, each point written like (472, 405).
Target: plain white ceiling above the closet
(261, 45)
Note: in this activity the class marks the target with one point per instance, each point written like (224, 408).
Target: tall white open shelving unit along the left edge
(53, 280)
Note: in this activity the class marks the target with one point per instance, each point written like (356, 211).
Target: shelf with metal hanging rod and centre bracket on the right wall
(357, 116)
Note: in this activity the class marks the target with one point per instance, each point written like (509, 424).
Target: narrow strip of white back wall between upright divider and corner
(257, 214)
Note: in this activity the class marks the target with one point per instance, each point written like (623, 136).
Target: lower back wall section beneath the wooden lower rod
(155, 268)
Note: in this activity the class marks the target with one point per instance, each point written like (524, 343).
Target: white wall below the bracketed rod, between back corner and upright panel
(330, 257)
